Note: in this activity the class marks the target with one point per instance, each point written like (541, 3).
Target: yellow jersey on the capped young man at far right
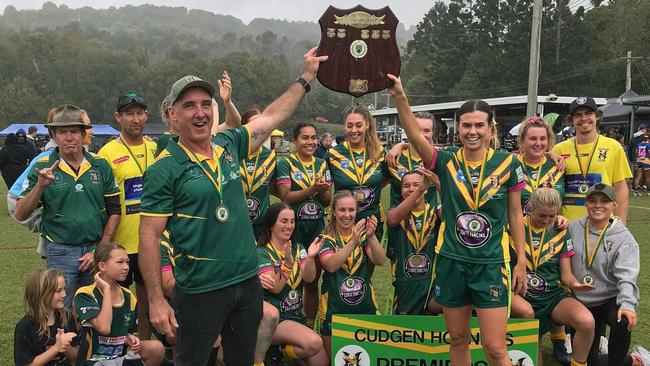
(602, 161)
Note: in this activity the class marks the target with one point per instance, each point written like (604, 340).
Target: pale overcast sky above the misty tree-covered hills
(409, 12)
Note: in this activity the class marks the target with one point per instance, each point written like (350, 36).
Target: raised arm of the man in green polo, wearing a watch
(282, 108)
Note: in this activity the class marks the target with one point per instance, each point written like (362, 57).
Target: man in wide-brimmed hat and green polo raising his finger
(80, 199)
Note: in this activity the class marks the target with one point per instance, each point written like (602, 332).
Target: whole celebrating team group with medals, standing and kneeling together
(194, 227)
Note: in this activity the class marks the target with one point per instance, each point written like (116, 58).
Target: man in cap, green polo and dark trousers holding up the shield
(194, 191)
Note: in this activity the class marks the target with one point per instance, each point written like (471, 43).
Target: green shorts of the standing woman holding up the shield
(460, 283)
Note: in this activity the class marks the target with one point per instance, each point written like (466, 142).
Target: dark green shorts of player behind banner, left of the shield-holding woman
(411, 297)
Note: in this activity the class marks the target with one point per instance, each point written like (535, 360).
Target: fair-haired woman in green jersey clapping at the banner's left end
(345, 254)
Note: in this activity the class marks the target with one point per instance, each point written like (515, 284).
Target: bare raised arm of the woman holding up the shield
(409, 123)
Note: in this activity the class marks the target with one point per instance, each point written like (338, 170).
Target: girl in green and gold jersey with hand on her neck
(111, 312)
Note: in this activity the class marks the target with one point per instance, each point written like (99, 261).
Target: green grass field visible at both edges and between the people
(18, 258)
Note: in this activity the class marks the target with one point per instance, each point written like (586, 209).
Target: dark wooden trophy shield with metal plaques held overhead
(362, 49)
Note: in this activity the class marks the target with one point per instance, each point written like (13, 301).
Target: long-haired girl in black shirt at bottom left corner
(44, 335)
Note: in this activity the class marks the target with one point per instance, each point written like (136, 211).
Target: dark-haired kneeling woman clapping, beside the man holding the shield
(284, 267)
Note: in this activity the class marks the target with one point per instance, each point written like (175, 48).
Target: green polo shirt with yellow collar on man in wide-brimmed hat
(74, 210)
